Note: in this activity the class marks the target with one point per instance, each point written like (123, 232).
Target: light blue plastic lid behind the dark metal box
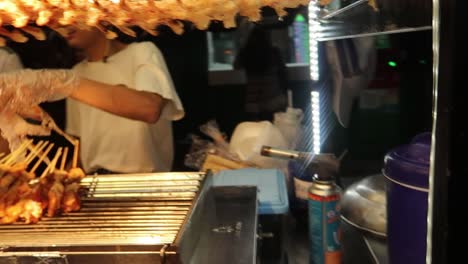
(273, 196)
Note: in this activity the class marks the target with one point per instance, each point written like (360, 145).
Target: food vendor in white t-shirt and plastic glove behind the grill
(121, 102)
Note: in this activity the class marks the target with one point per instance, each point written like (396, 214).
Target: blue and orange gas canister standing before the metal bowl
(324, 221)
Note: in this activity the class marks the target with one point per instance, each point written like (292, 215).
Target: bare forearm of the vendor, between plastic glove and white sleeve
(120, 100)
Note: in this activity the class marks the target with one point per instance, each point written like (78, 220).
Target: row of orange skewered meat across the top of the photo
(123, 14)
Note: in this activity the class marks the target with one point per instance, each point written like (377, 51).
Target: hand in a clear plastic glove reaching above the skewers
(26, 88)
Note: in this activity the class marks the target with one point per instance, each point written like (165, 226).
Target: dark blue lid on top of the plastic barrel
(409, 164)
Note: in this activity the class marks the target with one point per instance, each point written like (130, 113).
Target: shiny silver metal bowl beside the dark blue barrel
(364, 205)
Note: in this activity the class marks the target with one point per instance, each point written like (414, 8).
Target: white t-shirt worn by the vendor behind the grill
(120, 144)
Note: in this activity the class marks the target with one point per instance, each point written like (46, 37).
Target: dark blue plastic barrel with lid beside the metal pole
(407, 172)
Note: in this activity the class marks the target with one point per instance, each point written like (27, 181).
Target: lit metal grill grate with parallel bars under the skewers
(131, 209)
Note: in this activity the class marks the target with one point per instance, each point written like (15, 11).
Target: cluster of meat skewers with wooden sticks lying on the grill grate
(25, 197)
